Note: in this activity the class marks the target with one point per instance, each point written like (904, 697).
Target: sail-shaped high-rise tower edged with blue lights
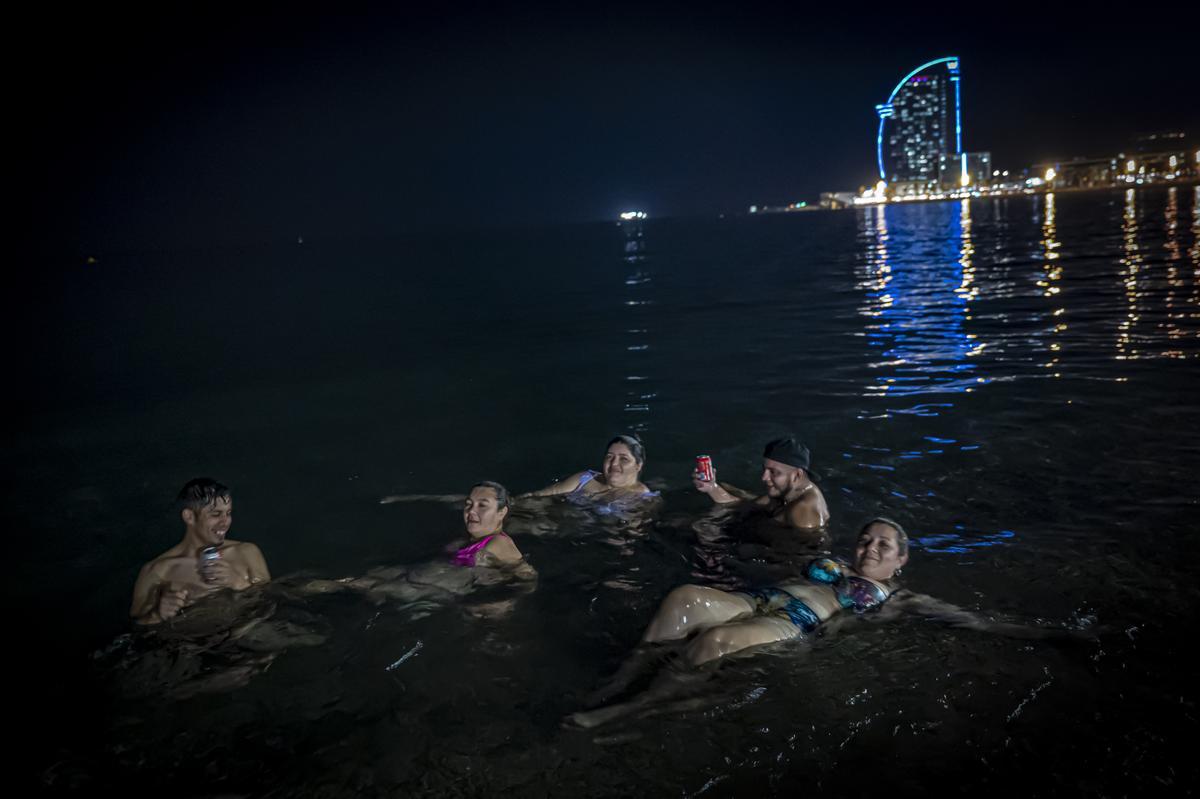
(921, 131)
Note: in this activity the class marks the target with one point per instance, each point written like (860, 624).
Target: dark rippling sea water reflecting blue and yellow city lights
(1013, 380)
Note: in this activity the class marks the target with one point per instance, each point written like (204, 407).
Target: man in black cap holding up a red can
(791, 495)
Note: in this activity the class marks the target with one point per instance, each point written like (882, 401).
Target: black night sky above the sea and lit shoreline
(225, 127)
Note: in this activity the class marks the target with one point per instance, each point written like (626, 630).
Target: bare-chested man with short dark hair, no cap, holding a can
(206, 561)
